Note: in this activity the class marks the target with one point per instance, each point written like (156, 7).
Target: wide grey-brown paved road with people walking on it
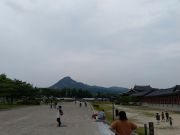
(41, 120)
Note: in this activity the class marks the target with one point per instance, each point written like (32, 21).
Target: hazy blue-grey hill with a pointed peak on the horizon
(67, 82)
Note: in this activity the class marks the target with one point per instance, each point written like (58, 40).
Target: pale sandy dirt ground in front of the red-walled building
(144, 115)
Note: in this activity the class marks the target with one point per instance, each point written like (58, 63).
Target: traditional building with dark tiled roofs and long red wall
(161, 98)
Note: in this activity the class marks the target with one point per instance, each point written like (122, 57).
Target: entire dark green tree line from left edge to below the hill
(17, 91)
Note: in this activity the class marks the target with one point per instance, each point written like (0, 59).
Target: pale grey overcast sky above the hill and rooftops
(97, 42)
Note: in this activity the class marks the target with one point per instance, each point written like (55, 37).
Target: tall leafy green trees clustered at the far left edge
(13, 90)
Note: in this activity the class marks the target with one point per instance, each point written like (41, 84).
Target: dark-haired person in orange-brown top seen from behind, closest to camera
(122, 126)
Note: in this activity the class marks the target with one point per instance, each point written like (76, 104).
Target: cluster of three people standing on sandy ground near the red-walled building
(164, 117)
